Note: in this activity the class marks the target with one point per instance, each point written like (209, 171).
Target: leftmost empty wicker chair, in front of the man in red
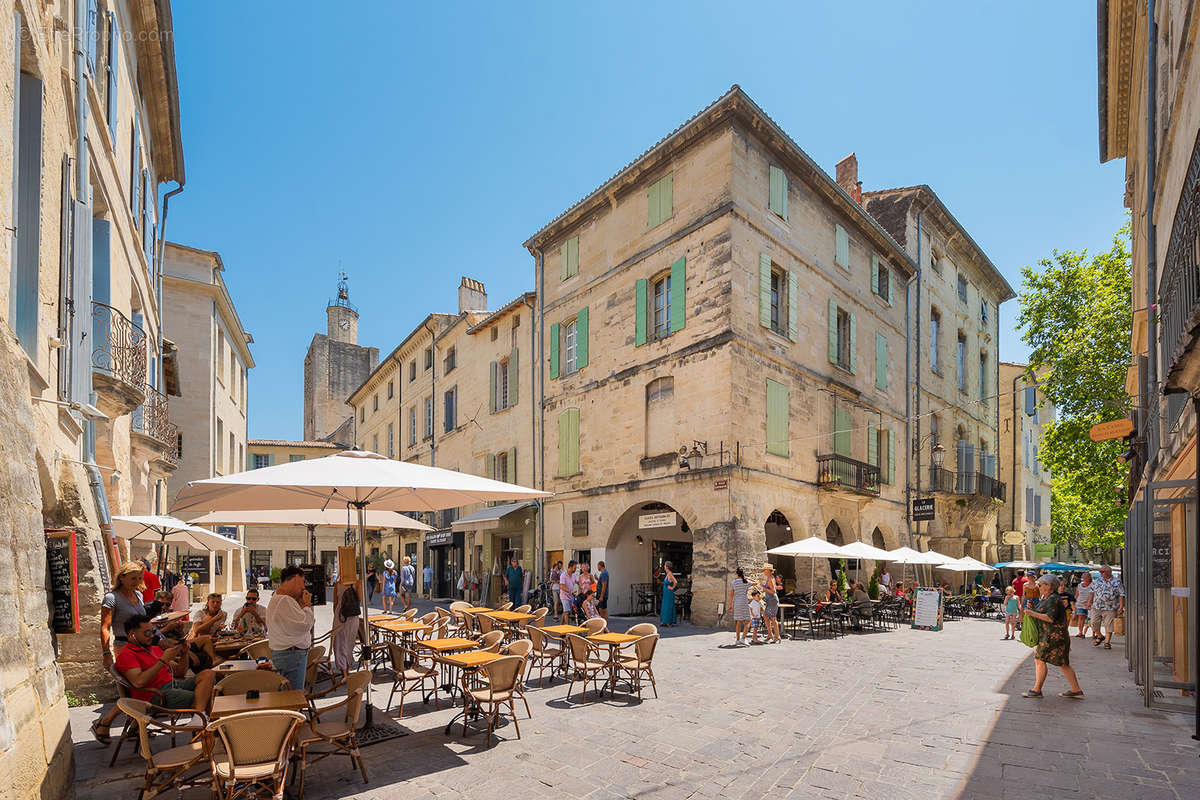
(179, 768)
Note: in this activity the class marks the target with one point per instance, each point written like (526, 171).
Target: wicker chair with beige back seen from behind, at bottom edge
(256, 750)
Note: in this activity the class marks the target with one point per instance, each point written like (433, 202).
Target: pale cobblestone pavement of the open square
(898, 714)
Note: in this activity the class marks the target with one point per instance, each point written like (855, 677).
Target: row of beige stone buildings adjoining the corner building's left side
(458, 393)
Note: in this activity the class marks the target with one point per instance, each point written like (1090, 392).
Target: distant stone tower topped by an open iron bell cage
(333, 369)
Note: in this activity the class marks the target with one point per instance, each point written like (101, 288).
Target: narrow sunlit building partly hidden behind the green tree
(1024, 416)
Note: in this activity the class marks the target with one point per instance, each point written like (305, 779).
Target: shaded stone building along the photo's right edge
(1150, 116)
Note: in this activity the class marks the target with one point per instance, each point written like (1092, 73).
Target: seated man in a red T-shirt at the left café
(147, 666)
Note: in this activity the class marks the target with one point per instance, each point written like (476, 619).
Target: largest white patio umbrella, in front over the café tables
(353, 479)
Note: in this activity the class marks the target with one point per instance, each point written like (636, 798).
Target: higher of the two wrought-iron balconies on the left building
(118, 360)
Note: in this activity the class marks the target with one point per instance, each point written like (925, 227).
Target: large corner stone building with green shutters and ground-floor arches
(722, 364)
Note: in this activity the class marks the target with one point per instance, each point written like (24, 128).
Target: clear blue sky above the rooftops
(412, 145)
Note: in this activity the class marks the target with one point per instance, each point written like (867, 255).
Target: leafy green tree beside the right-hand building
(1077, 317)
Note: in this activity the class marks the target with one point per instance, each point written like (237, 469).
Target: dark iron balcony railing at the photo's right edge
(1179, 291)
